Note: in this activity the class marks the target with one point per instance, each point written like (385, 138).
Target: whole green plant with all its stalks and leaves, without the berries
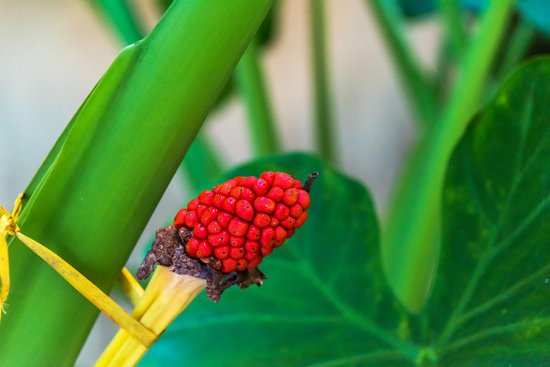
(458, 276)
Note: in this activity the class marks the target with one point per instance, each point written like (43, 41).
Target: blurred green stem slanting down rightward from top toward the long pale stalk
(412, 76)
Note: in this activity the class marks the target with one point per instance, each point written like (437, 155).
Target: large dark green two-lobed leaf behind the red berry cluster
(326, 302)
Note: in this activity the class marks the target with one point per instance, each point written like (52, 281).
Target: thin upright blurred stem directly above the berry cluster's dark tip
(322, 102)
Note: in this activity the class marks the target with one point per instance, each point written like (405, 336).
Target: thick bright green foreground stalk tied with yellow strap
(93, 200)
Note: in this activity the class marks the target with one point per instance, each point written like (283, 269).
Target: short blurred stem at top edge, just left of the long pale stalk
(452, 18)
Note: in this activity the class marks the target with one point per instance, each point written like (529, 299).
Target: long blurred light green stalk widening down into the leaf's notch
(410, 245)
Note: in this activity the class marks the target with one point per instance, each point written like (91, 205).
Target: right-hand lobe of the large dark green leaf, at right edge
(490, 303)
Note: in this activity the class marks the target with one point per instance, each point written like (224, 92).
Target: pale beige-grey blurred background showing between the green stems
(52, 54)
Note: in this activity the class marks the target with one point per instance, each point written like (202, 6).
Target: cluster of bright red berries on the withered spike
(242, 220)
